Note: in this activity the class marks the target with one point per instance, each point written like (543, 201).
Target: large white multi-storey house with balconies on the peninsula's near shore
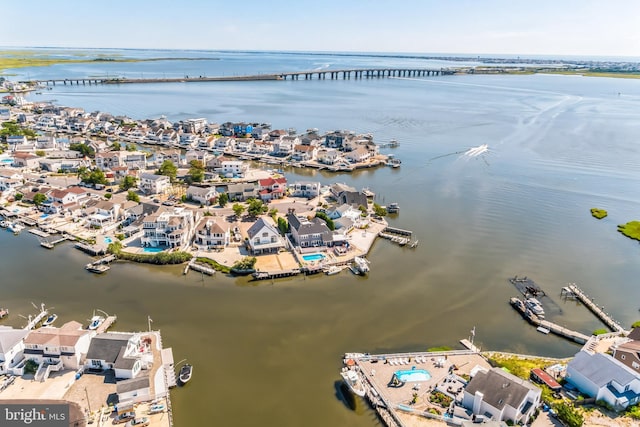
(172, 229)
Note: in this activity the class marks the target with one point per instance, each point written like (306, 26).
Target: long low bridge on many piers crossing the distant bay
(344, 74)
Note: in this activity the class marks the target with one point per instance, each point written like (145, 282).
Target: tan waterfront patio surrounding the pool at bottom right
(445, 368)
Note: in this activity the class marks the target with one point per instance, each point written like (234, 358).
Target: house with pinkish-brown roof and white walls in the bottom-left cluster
(63, 346)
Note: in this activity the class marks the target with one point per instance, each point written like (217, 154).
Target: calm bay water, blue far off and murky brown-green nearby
(268, 353)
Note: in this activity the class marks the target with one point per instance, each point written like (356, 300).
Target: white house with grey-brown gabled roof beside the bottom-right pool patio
(501, 396)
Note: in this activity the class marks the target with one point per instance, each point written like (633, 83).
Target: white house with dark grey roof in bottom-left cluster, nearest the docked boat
(117, 351)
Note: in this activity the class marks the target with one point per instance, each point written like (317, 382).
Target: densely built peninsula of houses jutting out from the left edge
(191, 186)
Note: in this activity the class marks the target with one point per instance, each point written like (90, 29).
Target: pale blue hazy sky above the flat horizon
(540, 27)
